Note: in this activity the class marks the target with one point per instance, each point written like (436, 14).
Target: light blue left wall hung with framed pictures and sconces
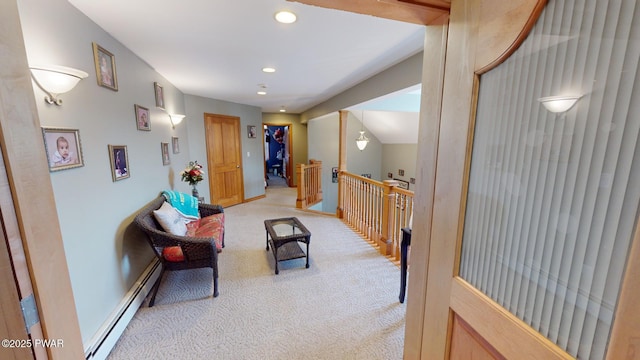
(105, 254)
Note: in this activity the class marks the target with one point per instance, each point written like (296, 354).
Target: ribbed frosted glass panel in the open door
(553, 197)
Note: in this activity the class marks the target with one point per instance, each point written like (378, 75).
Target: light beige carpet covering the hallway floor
(345, 306)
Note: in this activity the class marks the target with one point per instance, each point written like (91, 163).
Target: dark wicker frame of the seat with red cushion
(198, 252)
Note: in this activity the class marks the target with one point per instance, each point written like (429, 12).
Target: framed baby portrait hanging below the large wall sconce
(63, 148)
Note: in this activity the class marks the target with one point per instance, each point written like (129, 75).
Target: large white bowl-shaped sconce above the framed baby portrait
(55, 80)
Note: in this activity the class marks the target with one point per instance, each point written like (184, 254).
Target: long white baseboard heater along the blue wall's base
(99, 347)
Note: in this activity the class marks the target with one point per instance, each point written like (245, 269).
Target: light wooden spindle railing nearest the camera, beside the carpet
(377, 210)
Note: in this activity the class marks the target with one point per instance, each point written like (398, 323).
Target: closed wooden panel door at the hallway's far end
(224, 159)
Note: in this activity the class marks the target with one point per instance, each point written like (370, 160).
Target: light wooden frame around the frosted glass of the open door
(478, 39)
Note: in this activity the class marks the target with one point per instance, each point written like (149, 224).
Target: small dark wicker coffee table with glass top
(284, 235)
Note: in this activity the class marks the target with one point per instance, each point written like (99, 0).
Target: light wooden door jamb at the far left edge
(38, 228)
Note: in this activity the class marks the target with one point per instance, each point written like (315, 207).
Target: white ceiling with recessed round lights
(217, 48)
